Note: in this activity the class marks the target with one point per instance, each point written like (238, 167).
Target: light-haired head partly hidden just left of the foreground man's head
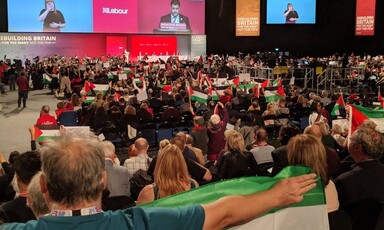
(35, 199)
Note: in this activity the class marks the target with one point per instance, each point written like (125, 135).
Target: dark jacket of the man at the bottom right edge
(361, 193)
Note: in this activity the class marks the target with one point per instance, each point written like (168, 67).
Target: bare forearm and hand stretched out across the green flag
(220, 213)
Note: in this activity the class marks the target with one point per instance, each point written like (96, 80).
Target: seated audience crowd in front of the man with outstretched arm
(227, 138)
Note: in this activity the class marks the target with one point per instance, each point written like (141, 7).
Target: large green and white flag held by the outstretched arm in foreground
(311, 213)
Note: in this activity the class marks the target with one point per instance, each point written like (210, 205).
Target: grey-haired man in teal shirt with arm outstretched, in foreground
(73, 194)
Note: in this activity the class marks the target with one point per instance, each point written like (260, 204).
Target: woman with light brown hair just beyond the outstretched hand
(308, 150)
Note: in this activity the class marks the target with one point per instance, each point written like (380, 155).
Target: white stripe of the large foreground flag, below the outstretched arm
(295, 218)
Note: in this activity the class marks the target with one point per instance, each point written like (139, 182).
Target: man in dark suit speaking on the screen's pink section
(181, 22)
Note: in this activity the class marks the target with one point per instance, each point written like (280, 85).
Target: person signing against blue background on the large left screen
(53, 18)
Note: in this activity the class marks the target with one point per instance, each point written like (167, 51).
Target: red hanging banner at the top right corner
(365, 17)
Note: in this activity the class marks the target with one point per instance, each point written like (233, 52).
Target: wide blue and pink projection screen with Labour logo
(112, 16)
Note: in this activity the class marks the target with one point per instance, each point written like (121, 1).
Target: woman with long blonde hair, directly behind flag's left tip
(170, 177)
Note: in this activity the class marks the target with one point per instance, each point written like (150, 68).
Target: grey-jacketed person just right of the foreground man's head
(117, 176)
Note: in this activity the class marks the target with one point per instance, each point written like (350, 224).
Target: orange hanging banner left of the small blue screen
(248, 18)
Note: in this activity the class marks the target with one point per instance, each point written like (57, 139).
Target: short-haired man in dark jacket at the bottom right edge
(361, 190)
